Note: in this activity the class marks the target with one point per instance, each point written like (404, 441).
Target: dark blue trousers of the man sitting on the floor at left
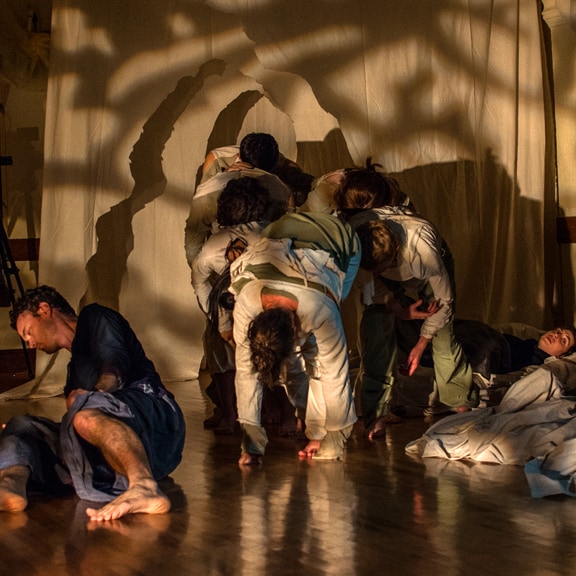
(57, 457)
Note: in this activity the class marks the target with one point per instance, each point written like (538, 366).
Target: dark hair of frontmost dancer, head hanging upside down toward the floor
(271, 336)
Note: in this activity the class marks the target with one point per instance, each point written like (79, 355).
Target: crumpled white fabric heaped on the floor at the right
(534, 425)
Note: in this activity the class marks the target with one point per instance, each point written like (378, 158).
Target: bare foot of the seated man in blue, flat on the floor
(142, 497)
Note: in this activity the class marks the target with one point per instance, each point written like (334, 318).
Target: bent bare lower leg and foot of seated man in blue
(125, 454)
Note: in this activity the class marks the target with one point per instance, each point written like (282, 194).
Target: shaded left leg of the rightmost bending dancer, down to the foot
(378, 354)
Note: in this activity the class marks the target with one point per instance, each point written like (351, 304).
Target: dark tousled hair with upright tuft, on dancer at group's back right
(366, 188)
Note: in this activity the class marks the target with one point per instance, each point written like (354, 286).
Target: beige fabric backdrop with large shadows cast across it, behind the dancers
(447, 94)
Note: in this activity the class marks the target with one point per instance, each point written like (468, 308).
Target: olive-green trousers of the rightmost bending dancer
(378, 352)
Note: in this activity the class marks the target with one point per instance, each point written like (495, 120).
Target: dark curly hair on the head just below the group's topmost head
(243, 200)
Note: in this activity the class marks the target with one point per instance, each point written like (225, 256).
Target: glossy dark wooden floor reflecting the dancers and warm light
(379, 512)
